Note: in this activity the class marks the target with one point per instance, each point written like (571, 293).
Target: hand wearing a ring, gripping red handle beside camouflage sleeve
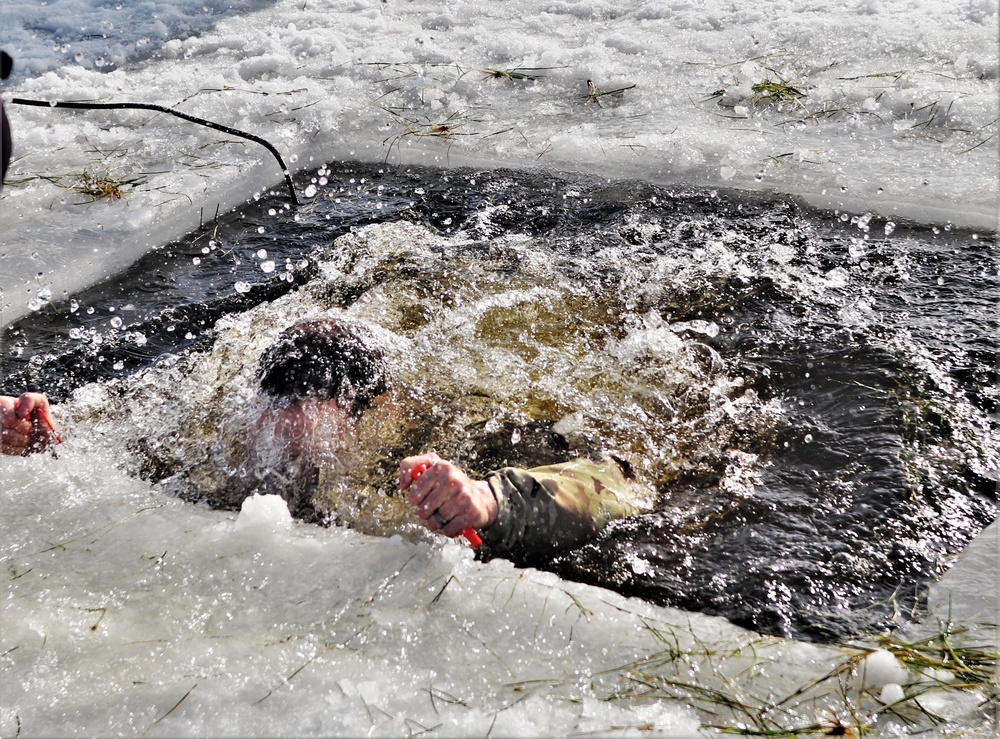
(446, 498)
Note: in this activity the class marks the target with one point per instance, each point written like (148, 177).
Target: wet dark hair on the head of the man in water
(326, 359)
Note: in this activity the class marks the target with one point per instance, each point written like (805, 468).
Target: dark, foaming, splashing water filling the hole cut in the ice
(808, 406)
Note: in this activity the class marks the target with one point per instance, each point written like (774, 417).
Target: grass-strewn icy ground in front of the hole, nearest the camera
(129, 612)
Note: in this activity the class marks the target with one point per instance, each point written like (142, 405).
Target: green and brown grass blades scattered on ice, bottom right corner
(732, 691)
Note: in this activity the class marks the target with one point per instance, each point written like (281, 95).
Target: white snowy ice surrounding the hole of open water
(126, 611)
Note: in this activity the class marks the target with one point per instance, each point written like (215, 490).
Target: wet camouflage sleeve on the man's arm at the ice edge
(548, 509)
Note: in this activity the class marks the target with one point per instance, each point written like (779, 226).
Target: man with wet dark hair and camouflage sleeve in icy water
(325, 375)
